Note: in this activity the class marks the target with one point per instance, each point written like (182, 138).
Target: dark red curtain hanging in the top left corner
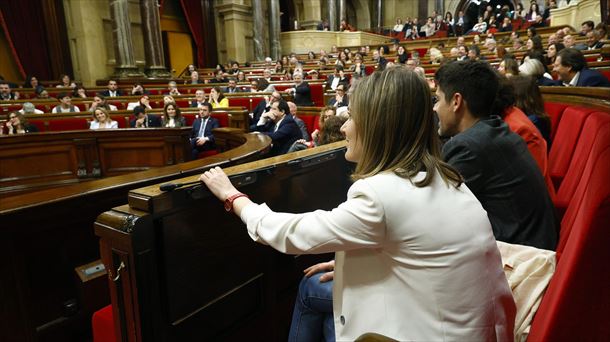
(23, 24)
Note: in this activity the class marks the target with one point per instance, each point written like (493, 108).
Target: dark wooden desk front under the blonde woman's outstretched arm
(187, 286)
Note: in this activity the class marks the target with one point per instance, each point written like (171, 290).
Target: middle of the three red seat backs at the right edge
(595, 136)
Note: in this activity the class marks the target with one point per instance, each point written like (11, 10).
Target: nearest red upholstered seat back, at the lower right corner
(576, 305)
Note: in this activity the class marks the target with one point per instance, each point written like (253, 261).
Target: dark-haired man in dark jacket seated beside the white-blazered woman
(511, 188)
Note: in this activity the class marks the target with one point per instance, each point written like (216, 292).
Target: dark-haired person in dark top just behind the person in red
(529, 99)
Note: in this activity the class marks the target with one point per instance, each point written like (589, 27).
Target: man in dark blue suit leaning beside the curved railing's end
(280, 127)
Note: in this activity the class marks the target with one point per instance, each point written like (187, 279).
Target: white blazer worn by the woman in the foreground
(411, 263)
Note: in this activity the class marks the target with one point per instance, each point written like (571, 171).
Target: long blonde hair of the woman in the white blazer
(394, 119)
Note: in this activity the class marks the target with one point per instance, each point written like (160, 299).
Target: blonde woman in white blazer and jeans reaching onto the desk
(396, 253)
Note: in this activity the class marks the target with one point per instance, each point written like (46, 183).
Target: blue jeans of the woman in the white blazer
(312, 318)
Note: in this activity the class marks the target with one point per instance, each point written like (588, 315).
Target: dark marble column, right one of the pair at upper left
(153, 46)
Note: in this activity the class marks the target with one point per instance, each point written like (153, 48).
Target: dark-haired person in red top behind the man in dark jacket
(518, 122)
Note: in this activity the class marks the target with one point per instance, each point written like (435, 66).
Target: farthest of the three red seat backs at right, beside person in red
(565, 141)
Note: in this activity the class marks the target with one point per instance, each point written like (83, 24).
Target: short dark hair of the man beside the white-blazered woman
(476, 81)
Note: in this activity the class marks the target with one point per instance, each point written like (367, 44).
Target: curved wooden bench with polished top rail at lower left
(47, 233)
